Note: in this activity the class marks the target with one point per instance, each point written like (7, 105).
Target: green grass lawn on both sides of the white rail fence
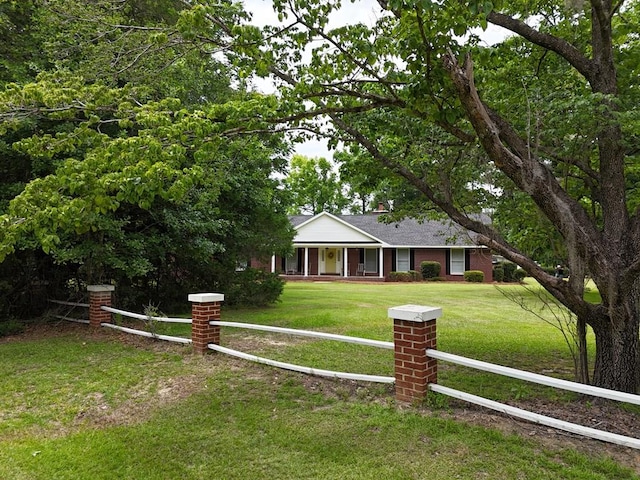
(77, 405)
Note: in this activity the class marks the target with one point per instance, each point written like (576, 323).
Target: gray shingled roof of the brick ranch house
(407, 232)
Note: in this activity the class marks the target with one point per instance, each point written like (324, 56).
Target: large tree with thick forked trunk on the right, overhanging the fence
(549, 114)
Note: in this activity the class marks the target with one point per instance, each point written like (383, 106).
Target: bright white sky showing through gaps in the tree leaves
(358, 11)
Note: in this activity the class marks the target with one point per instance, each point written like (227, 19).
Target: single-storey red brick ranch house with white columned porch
(360, 247)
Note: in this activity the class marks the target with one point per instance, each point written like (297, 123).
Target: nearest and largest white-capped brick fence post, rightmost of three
(414, 330)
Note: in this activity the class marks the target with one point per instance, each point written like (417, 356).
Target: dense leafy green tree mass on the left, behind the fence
(153, 181)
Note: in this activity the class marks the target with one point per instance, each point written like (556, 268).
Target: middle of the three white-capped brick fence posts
(205, 308)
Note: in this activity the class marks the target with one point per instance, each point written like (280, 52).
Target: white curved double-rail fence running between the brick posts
(447, 357)
